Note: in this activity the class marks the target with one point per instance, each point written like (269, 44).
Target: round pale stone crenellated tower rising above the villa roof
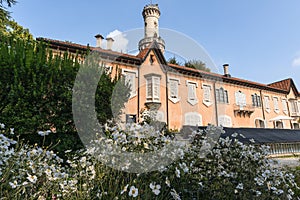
(151, 14)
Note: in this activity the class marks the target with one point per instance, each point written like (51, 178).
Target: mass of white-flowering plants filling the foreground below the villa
(208, 168)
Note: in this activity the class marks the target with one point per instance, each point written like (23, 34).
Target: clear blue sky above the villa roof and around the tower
(260, 39)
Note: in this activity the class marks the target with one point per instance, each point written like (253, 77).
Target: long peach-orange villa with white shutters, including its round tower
(186, 96)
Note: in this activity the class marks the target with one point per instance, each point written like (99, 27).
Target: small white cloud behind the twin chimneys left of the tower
(120, 41)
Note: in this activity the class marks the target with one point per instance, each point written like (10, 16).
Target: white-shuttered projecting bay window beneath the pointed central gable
(153, 88)
